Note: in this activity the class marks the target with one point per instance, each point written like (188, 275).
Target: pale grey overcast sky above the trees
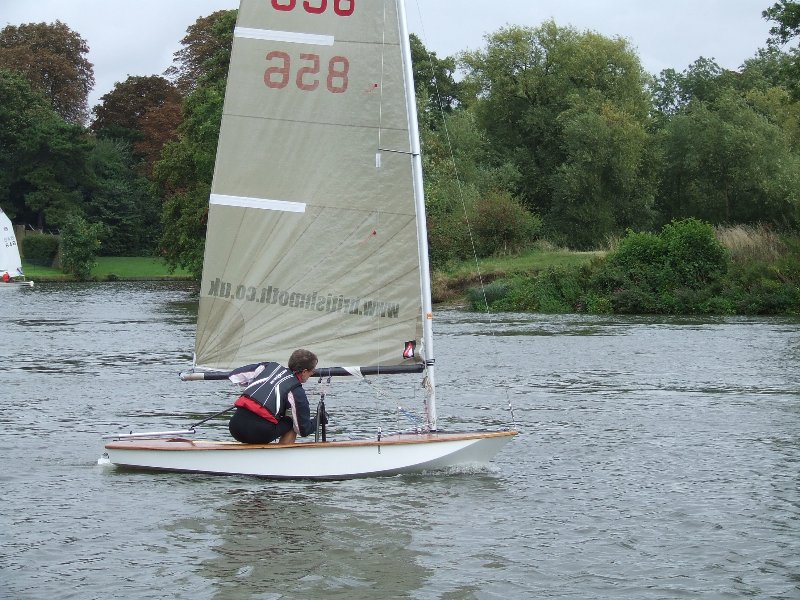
(139, 37)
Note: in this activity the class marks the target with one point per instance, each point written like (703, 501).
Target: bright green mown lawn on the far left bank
(112, 268)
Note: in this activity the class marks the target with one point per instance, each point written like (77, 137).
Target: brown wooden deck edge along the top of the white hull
(183, 444)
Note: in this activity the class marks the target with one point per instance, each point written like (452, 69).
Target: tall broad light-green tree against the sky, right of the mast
(537, 91)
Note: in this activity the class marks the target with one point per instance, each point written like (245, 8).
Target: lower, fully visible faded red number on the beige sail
(307, 78)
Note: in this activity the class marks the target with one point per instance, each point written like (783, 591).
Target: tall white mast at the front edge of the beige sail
(419, 199)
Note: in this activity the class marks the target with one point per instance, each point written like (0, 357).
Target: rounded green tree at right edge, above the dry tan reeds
(726, 163)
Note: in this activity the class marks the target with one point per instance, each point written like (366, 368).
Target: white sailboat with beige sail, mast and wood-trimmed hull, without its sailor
(317, 239)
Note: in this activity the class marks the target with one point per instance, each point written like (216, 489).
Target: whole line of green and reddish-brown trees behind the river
(545, 133)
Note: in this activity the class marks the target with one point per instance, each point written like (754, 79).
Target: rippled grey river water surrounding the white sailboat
(657, 458)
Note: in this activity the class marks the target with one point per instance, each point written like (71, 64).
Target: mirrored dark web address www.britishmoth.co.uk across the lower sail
(317, 301)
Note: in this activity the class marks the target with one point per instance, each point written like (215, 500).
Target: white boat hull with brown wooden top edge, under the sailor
(404, 453)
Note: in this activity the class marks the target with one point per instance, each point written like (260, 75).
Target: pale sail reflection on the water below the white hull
(298, 540)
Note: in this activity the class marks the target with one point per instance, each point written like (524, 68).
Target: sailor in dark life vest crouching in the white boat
(274, 404)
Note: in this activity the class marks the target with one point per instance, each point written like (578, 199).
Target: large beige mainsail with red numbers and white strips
(312, 237)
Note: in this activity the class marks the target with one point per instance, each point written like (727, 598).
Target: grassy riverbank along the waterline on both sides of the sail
(539, 281)
